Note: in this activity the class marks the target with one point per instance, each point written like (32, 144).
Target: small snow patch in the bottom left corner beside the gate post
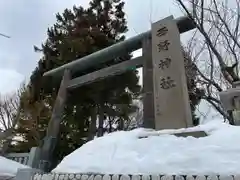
(9, 167)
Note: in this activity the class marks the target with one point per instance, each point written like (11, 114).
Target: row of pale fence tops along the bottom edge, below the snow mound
(132, 177)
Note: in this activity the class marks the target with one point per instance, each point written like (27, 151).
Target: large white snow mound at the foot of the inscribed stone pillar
(159, 153)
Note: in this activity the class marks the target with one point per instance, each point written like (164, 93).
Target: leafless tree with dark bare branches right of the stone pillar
(215, 46)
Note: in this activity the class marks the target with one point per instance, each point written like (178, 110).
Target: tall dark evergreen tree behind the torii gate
(77, 33)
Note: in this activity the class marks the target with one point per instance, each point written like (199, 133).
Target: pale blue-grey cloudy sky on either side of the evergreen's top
(26, 21)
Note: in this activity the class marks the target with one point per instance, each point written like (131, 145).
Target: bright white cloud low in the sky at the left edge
(10, 81)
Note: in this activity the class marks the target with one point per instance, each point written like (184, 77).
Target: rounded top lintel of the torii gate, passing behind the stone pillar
(107, 54)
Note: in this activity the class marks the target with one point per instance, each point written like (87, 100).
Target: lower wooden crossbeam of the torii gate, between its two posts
(106, 72)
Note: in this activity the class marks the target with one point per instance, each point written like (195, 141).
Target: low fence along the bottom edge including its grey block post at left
(33, 174)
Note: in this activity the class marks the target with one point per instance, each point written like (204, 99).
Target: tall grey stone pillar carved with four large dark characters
(171, 101)
